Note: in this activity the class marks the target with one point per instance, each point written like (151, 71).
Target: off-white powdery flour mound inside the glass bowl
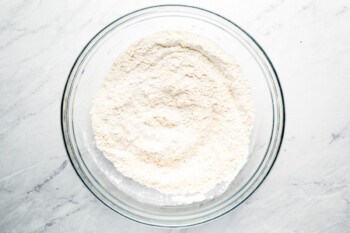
(174, 114)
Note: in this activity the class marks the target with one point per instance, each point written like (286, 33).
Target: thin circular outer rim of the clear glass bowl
(76, 165)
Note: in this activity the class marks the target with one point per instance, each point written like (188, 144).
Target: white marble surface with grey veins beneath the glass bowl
(308, 189)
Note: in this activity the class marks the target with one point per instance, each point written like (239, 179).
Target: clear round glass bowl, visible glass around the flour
(122, 194)
